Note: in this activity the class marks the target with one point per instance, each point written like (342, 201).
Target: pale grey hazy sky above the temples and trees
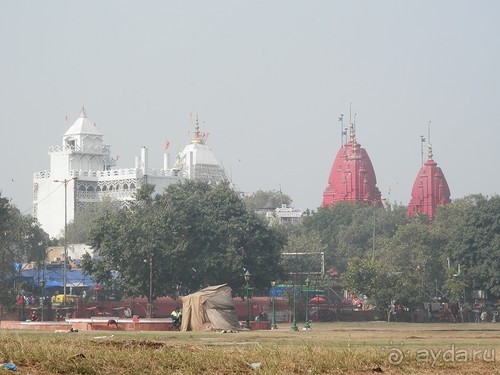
(268, 79)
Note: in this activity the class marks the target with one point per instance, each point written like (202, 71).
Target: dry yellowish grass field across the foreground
(328, 348)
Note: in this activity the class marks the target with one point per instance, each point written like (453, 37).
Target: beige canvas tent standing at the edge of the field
(209, 308)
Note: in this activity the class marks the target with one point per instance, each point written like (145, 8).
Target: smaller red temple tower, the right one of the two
(429, 190)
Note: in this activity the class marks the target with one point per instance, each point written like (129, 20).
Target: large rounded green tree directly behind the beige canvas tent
(194, 234)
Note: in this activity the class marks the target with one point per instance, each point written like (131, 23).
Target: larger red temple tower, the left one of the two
(352, 178)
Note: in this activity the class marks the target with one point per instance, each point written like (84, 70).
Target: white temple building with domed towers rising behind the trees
(83, 171)
